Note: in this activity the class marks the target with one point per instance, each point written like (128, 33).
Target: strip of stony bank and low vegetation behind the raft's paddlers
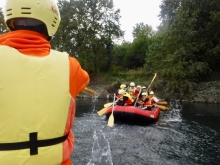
(203, 92)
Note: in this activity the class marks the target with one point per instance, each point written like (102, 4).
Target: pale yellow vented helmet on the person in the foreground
(32, 13)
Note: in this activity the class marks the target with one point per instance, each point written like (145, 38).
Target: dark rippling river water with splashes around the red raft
(188, 134)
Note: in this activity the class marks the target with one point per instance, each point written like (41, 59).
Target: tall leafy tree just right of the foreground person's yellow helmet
(87, 31)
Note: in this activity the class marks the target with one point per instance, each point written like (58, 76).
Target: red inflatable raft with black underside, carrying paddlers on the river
(134, 115)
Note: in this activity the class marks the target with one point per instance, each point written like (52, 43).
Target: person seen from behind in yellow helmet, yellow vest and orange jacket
(38, 86)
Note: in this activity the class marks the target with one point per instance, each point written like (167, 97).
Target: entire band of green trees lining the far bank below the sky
(185, 49)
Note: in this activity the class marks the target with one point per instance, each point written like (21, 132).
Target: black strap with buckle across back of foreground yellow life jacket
(33, 143)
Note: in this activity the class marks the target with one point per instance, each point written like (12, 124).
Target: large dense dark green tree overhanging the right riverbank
(185, 50)
